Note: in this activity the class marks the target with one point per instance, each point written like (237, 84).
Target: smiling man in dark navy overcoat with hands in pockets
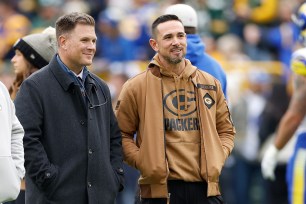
(72, 142)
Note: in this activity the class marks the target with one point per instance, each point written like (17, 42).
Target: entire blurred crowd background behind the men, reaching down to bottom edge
(252, 40)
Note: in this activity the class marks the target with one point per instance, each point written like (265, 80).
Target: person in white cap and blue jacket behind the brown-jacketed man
(195, 46)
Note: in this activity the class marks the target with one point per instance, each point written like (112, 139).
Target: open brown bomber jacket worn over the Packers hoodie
(140, 110)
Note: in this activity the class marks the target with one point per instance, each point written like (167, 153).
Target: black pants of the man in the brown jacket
(186, 193)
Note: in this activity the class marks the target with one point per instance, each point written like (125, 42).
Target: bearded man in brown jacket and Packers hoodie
(182, 122)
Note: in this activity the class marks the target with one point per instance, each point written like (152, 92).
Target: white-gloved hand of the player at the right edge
(269, 162)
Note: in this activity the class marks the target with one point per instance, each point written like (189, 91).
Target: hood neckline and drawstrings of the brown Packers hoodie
(181, 81)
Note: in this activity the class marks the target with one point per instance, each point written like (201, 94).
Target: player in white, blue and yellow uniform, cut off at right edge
(293, 123)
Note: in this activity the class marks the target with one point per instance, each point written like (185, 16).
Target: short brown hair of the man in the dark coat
(67, 22)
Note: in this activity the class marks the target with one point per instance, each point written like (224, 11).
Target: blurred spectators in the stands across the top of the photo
(232, 29)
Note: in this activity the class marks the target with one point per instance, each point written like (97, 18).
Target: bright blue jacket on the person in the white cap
(196, 54)
